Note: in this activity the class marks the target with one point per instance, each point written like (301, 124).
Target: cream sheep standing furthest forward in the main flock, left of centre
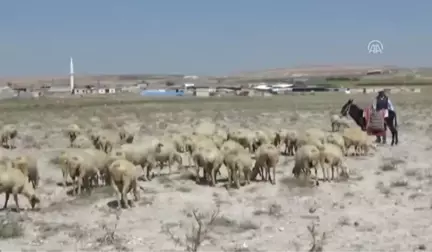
(124, 175)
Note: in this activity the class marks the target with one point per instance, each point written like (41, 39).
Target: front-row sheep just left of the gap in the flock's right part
(267, 156)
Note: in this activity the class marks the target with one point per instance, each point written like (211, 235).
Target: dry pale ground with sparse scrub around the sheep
(384, 206)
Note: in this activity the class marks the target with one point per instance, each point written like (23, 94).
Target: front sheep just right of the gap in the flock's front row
(306, 158)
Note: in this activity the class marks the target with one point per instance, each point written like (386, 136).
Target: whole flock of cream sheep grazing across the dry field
(100, 157)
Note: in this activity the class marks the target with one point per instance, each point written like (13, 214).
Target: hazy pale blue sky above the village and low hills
(208, 37)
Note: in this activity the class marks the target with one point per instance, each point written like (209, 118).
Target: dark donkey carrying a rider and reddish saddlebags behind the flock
(356, 113)
